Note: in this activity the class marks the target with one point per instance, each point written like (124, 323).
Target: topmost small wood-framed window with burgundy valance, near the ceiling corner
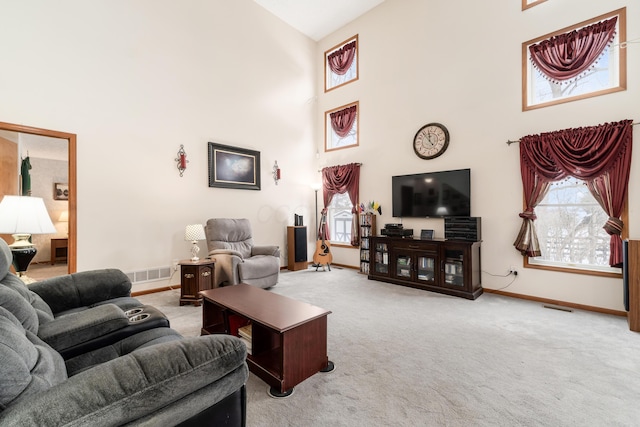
(341, 64)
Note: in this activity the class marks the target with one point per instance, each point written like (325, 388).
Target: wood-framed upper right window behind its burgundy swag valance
(607, 73)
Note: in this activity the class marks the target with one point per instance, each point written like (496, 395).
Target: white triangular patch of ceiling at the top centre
(318, 18)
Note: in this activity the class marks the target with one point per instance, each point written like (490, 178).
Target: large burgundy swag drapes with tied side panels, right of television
(599, 155)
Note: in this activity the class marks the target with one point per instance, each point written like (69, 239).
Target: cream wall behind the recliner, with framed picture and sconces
(134, 80)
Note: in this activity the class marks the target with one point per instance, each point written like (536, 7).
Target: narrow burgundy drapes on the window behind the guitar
(339, 180)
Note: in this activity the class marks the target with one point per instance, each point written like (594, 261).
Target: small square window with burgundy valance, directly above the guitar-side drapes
(341, 127)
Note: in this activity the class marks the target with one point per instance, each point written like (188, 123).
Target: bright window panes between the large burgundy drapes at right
(569, 227)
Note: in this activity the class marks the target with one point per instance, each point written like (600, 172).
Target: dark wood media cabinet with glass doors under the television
(450, 267)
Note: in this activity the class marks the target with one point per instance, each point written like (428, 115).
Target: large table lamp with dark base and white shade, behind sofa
(22, 216)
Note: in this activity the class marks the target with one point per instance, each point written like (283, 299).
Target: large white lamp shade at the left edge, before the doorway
(24, 214)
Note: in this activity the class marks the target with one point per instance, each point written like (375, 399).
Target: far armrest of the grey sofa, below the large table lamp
(82, 289)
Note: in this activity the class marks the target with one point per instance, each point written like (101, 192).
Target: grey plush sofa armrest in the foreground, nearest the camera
(134, 386)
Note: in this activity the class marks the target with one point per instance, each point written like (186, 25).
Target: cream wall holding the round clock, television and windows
(459, 63)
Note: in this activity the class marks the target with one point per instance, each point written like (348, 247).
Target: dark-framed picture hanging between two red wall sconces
(232, 167)
